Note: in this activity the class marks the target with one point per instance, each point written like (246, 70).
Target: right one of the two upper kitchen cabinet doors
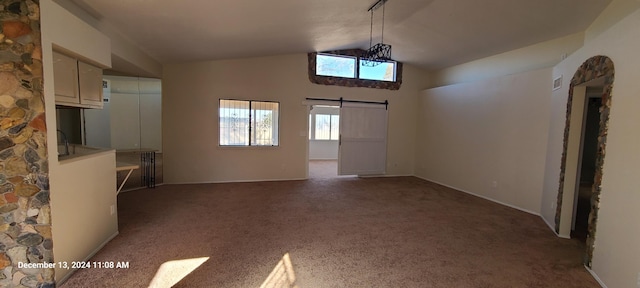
(90, 79)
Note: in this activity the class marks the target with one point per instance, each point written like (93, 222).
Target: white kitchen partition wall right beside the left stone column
(81, 188)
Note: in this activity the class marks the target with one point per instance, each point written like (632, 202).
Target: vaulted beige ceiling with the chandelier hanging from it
(431, 34)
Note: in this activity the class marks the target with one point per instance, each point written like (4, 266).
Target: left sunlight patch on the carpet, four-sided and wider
(171, 272)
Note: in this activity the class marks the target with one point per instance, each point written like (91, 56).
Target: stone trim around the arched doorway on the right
(594, 68)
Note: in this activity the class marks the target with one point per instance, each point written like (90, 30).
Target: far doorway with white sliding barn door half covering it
(354, 134)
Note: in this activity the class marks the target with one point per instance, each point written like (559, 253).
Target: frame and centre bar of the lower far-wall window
(275, 126)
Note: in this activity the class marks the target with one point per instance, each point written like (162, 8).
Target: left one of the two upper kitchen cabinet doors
(65, 78)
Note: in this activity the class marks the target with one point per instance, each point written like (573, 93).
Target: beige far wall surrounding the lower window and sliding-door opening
(190, 100)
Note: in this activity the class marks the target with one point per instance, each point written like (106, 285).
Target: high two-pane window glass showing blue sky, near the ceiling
(345, 67)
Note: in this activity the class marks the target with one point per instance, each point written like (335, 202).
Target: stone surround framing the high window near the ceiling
(348, 82)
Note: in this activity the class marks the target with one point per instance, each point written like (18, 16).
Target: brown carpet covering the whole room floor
(343, 232)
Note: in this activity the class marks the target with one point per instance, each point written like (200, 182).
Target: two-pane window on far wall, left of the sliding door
(248, 123)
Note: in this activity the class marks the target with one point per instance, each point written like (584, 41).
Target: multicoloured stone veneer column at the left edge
(25, 230)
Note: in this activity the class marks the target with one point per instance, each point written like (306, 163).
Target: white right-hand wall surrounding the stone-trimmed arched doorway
(460, 136)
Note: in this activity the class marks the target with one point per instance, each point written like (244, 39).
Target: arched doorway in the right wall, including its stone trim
(597, 71)
